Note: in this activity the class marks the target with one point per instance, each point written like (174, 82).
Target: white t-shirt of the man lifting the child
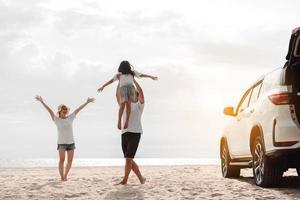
(135, 119)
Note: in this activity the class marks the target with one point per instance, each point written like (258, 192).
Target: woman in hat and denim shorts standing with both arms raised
(65, 142)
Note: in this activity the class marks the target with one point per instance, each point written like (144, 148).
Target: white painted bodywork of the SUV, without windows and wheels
(273, 120)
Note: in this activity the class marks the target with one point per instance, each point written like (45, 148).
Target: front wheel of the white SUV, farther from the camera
(227, 170)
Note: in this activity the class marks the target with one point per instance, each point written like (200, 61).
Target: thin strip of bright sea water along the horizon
(93, 162)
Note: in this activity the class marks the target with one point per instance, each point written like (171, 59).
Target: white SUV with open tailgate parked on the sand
(264, 132)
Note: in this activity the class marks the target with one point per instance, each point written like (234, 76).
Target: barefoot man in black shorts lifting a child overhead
(131, 136)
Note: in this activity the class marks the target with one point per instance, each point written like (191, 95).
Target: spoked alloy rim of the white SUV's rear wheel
(258, 163)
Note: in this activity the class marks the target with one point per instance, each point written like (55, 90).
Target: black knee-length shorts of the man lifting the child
(130, 143)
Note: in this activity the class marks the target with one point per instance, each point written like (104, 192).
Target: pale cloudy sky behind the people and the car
(205, 53)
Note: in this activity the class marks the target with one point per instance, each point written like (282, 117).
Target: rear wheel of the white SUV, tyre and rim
(265, 175)
